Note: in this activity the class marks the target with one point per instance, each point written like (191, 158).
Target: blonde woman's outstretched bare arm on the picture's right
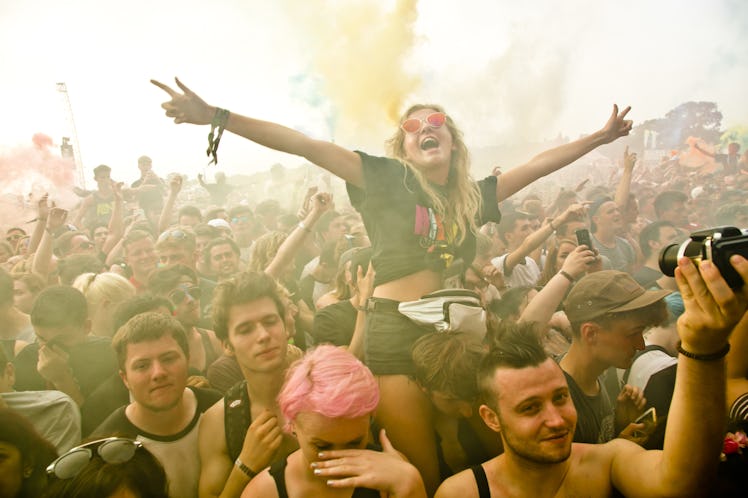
(551, 160)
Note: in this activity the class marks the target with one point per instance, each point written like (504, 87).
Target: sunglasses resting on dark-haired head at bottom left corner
(113, 450)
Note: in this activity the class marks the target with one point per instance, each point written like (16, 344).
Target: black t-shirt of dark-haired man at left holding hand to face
(92, 362)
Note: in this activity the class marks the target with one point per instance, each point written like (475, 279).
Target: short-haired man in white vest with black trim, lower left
(164, 413)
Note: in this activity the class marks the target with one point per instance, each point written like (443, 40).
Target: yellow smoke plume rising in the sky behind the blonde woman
(360, 51)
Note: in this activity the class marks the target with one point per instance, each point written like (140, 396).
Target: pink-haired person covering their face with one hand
(327, 401)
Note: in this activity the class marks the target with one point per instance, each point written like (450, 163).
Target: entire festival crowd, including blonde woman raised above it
(161, 339)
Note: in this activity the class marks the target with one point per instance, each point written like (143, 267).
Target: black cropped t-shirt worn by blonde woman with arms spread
(400, 223)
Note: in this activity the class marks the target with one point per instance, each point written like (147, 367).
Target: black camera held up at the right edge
(713, 244)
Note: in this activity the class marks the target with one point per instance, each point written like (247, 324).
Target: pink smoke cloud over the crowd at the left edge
(26, 173)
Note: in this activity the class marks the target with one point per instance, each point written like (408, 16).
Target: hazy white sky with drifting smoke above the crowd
(342, 68)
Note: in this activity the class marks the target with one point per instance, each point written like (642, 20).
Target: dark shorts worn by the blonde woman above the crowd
(389, 338)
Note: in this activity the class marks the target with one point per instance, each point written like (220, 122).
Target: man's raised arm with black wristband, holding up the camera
(695, 428)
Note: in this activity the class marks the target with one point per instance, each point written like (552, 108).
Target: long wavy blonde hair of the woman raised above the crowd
(463, 200)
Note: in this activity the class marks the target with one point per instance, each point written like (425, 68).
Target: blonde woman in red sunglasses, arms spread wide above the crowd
(421, 210)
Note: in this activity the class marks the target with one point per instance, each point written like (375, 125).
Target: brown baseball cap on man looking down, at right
(607, 291)
